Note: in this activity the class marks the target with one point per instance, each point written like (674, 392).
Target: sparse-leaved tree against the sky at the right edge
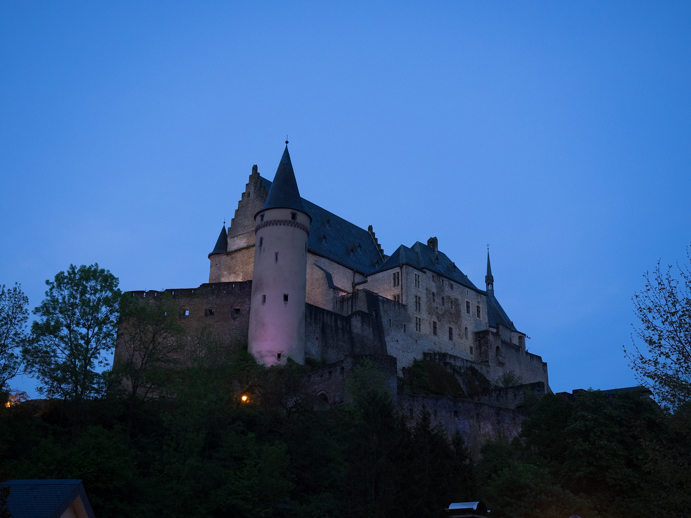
(663, 309)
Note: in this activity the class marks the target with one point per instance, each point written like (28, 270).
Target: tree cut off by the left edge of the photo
(13, 316)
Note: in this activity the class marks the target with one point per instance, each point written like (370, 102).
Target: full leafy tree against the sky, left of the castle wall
(75, 331)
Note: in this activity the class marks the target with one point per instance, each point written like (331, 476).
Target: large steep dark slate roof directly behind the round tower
(337, 239)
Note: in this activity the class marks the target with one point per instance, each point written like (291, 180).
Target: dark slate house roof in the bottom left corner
(44, 498)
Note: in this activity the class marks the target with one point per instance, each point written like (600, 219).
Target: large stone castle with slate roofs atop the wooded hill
(291, 280)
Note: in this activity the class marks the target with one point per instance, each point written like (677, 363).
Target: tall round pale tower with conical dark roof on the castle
(277, 310)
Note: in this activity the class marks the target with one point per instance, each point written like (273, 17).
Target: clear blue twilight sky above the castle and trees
(557, 132)
